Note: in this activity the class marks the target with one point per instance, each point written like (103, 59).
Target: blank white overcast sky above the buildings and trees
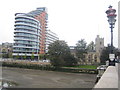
(71, 20)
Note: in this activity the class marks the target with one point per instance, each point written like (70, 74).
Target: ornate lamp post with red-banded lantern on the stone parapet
(111, 20)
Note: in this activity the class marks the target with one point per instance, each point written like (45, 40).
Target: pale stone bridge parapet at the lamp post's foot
(109, 78)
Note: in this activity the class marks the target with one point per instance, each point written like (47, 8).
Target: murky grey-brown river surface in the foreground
(26, 78)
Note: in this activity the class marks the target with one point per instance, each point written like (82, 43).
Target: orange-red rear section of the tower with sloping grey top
(41, 15)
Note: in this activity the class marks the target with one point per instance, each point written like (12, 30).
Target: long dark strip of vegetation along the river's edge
(48, 67)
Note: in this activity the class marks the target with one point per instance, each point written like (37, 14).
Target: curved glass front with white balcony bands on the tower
(26, 35)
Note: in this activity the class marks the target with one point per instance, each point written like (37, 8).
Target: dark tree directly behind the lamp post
(105, 54)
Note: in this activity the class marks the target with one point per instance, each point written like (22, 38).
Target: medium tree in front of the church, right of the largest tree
(81, 49)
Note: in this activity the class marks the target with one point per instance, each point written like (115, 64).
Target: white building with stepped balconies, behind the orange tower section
(50, 38)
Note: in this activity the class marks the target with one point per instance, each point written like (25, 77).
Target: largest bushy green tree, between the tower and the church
(59, 54)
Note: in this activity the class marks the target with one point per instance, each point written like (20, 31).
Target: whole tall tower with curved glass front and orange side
(31, 33)
